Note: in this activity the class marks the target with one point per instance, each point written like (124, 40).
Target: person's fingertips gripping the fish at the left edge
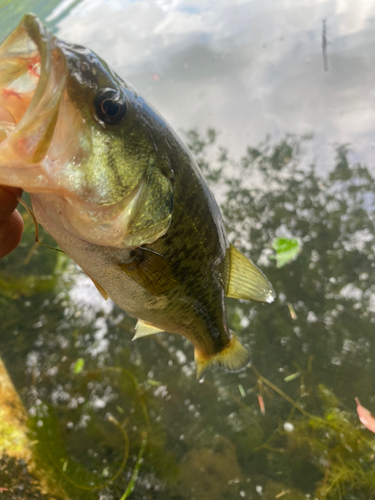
(11, 222)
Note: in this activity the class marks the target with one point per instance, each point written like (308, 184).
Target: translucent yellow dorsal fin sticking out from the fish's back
(245, 280)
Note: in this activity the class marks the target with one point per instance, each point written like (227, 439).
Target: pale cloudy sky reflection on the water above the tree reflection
(247, 68)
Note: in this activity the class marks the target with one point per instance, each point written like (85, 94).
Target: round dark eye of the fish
(110, 106)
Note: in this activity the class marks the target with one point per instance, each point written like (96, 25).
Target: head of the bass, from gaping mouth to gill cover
(92, 152)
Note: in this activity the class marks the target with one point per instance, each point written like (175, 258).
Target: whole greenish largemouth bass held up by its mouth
(121, 194)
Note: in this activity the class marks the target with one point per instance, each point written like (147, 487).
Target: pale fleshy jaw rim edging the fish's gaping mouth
(29, 141)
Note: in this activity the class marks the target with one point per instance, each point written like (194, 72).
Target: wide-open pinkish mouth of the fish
(31, 80)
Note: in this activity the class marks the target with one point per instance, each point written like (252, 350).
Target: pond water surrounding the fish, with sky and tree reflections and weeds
(276, 101)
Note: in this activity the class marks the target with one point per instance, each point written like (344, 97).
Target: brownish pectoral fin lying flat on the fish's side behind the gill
(150, 270)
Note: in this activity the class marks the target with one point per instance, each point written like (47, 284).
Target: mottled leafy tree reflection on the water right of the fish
(331, 283)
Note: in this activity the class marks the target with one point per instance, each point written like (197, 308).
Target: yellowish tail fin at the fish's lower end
(232, 358)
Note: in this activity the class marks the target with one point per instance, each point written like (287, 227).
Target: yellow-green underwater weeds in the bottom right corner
(333, 444)
